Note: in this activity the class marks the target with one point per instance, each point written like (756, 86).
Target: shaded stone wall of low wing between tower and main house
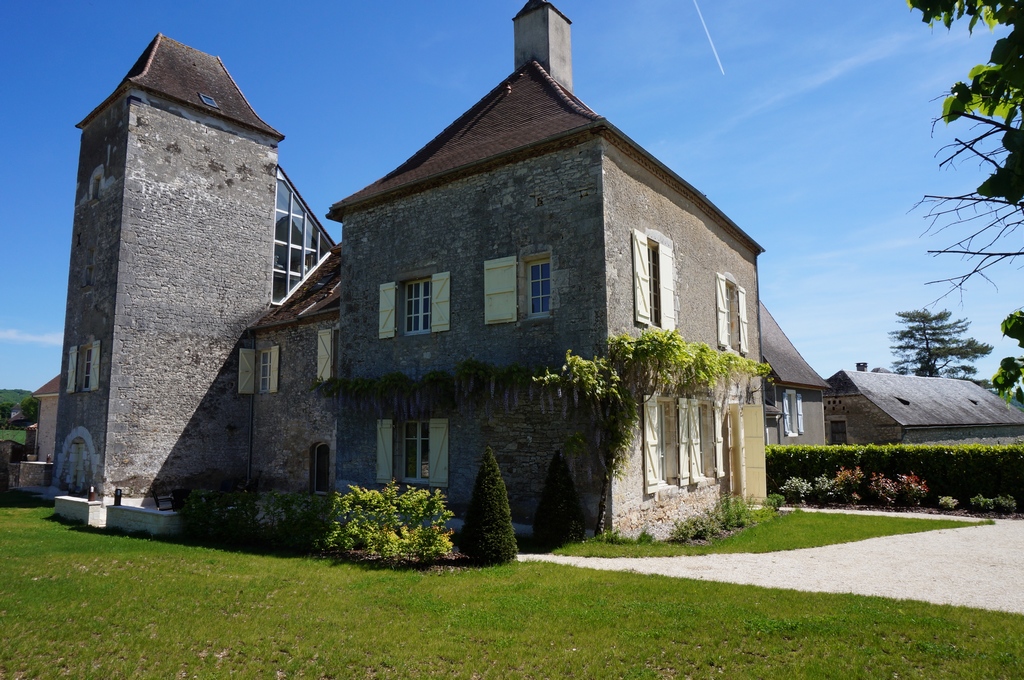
(288, 424)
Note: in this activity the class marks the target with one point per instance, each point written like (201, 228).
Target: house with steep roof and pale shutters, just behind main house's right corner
(794, 412)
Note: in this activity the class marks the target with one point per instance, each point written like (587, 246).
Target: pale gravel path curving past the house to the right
(976, 567)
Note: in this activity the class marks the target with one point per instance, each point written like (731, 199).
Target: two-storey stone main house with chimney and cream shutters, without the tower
(532, 226)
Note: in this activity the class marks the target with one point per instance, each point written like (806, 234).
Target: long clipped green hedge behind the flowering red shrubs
(963, 472)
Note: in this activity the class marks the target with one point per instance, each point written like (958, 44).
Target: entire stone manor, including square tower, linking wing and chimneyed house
(206, 301)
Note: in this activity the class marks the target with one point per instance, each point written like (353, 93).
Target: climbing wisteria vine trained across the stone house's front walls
(609, 389)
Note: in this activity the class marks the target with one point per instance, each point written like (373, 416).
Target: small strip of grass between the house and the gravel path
(790, 532)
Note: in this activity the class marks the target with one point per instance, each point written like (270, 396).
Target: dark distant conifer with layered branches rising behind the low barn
(933, 347)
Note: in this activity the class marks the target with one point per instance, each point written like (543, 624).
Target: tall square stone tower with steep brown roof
(172, 262)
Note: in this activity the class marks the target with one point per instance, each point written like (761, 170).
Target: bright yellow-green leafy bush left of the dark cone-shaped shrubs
(396, 526)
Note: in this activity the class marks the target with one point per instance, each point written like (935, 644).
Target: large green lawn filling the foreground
(84, 605)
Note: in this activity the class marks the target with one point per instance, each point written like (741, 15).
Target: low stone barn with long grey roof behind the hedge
(879, 407)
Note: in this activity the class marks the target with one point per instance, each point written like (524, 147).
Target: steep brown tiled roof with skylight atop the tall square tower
(179, 72)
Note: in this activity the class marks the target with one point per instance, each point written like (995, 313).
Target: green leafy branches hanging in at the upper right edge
(985, 220)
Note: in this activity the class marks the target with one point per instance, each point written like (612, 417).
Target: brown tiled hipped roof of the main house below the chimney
(527, 108)
